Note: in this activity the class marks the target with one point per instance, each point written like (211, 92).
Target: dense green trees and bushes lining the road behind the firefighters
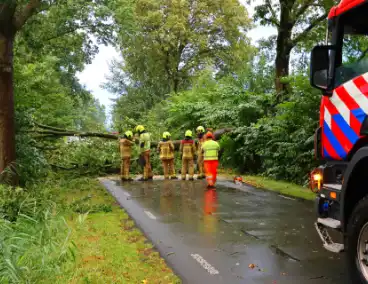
(183, 63)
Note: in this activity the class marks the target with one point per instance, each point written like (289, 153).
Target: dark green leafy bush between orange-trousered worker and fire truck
(279, 144)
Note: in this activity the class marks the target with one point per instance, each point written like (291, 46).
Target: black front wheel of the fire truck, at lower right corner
(356, 244)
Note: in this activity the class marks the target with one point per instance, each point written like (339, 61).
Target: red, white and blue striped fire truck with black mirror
(340, 70)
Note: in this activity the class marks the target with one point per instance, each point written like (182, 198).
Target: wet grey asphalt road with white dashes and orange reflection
(210, 236)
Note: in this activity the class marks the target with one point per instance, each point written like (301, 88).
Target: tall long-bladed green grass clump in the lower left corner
(34, 238)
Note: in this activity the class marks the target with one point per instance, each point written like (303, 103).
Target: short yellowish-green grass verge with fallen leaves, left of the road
(109, 248)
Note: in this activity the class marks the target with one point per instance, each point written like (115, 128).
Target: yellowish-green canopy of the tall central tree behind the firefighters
(166, 44)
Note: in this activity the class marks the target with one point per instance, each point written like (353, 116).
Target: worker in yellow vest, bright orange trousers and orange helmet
(211, 151)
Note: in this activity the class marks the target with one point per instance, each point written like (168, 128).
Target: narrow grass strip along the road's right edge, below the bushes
(282, 187)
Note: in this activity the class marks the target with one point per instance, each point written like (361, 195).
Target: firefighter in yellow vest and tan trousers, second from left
(145, 152)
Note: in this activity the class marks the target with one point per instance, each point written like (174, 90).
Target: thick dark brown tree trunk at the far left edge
(7, 125)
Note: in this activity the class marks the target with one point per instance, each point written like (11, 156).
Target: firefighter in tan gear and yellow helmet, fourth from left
(187, 150)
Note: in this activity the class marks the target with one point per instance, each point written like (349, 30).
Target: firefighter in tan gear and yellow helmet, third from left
(166, 149)
